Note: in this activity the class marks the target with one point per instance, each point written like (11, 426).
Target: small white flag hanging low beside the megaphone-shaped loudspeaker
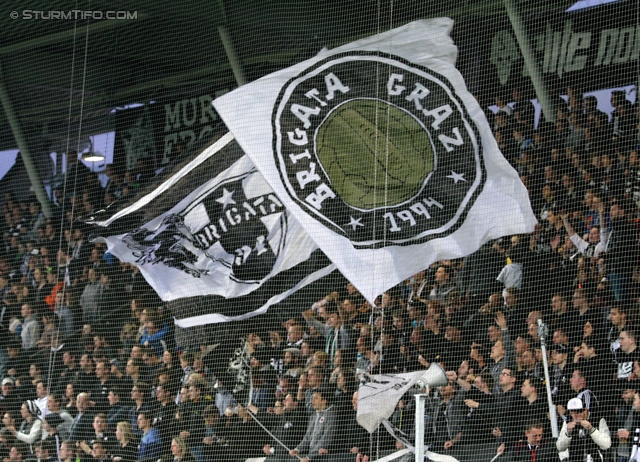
(379, 394)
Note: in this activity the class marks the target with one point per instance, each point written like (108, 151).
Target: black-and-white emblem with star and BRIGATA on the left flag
(234, 228)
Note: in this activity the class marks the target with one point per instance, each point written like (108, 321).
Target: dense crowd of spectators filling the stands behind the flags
(90, 369)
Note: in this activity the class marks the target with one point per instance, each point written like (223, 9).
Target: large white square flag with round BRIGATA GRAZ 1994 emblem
(382, 154)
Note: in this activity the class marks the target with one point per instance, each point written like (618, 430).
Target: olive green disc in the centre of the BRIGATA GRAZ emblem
(375, 154)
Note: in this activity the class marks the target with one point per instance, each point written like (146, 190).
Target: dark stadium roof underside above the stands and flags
(163, 48)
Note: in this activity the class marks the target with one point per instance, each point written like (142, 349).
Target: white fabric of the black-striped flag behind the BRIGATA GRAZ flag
(219, 232)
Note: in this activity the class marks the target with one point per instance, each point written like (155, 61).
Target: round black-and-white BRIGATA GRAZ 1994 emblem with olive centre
(380, 150)
